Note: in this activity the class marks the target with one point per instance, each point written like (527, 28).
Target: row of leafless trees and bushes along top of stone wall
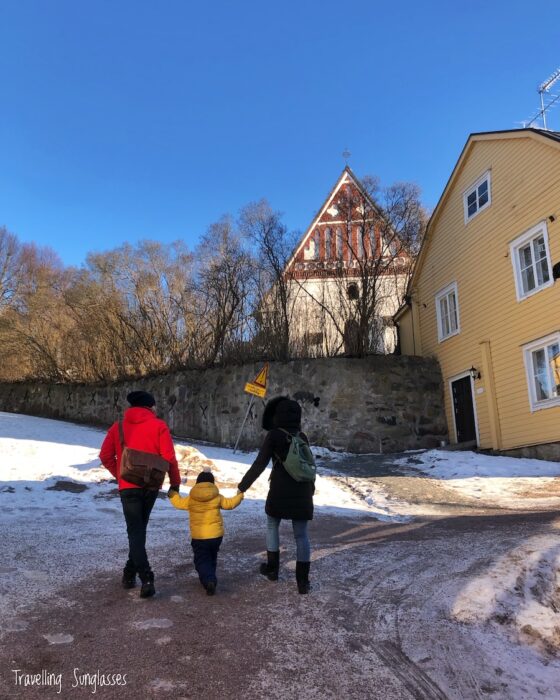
(153, 307)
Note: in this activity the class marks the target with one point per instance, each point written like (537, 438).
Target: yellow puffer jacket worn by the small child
(204, 503)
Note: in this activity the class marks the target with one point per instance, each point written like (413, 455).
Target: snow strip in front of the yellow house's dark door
(505, 482)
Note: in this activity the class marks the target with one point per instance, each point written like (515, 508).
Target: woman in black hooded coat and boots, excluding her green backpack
(287, 498)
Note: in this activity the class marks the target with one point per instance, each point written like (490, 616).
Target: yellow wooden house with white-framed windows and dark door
(485, 295)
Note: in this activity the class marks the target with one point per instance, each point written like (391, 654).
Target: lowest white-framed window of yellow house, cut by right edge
(542, 364)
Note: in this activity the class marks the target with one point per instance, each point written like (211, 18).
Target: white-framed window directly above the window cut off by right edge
(530, 258)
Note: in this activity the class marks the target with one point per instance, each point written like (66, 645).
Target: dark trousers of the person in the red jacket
(137, 506)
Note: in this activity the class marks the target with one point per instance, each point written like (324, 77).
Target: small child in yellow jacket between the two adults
(207, 526)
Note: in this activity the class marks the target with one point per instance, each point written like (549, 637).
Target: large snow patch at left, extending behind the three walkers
(50, 533)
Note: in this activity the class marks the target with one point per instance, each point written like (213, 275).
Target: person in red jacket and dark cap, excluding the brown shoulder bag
(142, 431)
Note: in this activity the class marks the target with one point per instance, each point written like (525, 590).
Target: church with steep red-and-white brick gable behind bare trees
(348, 276)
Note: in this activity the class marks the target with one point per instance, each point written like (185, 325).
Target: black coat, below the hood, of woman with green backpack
(287, 498)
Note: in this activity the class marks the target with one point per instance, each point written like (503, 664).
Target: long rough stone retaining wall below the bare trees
(380, 403)
